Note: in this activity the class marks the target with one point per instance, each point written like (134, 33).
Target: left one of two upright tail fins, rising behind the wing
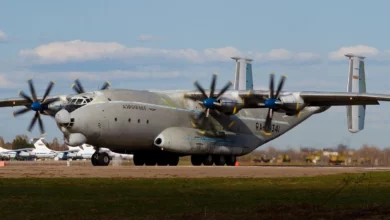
(243, 79)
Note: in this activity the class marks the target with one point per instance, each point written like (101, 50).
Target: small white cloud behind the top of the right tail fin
(361, 50)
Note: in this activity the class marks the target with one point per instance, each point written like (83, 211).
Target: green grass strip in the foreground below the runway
(337, 196)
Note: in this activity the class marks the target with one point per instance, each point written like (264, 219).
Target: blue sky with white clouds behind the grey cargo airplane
(168, 44)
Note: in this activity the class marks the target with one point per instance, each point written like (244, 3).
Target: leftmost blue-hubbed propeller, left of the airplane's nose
(37, 105)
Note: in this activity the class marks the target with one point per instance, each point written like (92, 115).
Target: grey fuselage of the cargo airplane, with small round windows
(129, 121)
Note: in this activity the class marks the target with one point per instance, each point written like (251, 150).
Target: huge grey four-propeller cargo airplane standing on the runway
(212, 126)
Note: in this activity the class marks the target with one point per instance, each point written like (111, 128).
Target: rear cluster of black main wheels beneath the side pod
(209, 160)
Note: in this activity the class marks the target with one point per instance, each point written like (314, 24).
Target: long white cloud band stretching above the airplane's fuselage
(62, 52)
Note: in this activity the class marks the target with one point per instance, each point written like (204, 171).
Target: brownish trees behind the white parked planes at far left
(22, 141)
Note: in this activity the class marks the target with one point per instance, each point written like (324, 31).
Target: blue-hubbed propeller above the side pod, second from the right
(211, 103)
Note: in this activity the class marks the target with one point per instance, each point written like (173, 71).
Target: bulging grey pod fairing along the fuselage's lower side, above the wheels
(189, 141)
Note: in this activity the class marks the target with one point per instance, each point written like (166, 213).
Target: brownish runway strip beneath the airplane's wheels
(26, 169)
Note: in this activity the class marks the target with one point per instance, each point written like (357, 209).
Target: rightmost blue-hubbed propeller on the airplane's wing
(272, 102)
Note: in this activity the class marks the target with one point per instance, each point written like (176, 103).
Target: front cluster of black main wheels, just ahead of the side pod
(155, 158)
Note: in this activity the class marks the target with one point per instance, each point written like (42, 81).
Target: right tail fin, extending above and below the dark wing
(356, 83)
